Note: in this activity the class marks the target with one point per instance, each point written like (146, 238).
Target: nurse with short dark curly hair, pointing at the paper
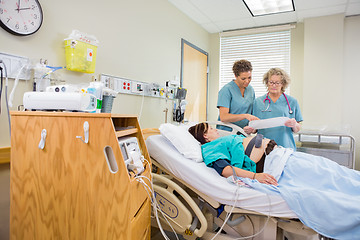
(235, 99)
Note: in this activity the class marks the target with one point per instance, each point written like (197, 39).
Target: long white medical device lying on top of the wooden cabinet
(68, 101)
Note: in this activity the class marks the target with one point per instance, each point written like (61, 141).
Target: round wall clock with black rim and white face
(20, 17)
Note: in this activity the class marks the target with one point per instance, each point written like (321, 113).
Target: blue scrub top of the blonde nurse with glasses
(282, 135)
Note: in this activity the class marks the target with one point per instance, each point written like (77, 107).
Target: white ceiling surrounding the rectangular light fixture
(223, 15)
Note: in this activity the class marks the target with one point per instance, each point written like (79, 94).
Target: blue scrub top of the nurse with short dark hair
(230, 97)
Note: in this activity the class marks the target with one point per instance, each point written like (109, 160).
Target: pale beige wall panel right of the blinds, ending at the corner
(323, 71)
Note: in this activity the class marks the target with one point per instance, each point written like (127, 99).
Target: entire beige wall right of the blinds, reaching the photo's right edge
(331, 58)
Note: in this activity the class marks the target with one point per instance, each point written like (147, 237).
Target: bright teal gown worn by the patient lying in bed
(230, 148)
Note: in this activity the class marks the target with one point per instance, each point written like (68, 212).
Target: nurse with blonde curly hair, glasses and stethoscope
(276, 104)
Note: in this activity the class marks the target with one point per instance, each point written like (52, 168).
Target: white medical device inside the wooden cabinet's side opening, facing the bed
(131, 152)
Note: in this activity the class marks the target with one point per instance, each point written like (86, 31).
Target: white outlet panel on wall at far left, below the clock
(14, 64)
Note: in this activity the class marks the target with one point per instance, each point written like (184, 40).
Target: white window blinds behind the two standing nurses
(263, 50)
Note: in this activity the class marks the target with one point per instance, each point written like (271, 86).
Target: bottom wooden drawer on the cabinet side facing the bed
(140, 224)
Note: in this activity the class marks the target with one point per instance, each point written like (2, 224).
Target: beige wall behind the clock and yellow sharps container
(139, 40)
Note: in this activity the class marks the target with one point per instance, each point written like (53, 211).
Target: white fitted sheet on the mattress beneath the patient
(209, 182)
